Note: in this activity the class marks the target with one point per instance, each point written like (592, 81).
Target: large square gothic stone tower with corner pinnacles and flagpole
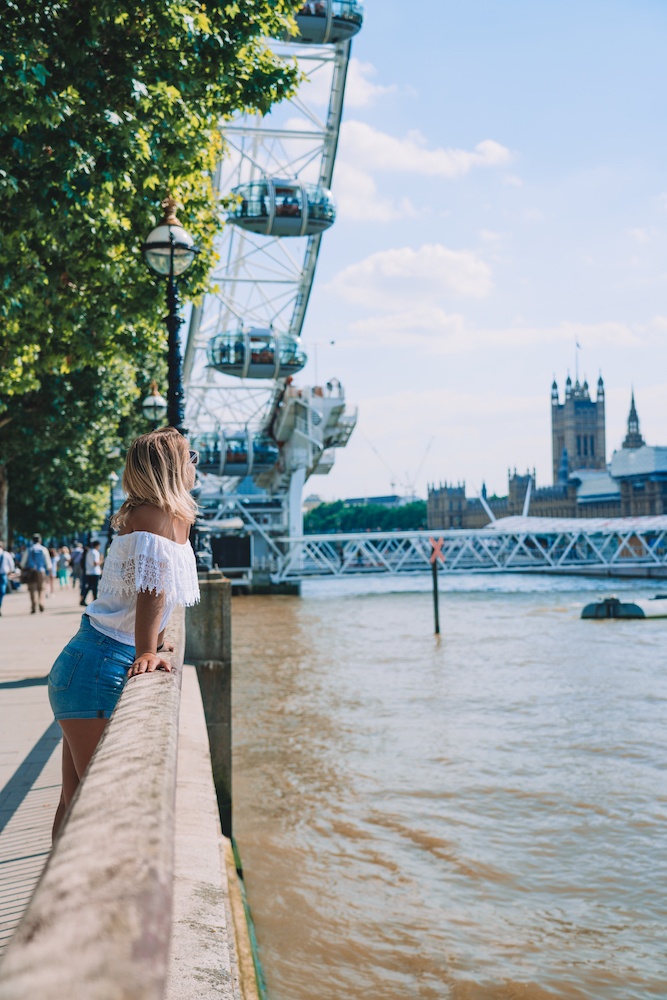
(578, 426)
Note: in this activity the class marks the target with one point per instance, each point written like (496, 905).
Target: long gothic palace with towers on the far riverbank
(633, 484)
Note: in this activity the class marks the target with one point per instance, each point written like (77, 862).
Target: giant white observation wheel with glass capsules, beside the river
(244, 410)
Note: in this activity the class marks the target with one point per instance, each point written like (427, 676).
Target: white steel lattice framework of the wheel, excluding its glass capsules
(265, 281)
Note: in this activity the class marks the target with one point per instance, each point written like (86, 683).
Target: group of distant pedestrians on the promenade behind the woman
(38, 567)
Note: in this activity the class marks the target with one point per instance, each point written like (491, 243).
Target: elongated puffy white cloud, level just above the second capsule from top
(368, 148)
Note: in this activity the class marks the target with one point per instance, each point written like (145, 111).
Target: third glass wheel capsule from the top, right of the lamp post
(256, 353)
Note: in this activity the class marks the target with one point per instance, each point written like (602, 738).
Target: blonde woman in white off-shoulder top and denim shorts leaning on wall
(149, 569)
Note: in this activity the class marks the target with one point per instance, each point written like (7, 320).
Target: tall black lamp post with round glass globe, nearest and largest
(169, 252)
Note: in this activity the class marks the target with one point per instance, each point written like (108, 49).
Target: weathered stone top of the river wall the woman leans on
(98, 925)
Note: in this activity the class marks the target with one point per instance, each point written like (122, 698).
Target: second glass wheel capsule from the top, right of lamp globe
(273, 207)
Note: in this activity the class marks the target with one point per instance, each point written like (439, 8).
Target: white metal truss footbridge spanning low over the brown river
(618, 547)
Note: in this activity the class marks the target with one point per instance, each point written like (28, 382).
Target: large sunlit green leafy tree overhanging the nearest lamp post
(108, 105)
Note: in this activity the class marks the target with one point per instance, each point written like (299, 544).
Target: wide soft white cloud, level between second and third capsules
(394, 279)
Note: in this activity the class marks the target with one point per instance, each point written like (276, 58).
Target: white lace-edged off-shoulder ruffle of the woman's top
(172, 573)
